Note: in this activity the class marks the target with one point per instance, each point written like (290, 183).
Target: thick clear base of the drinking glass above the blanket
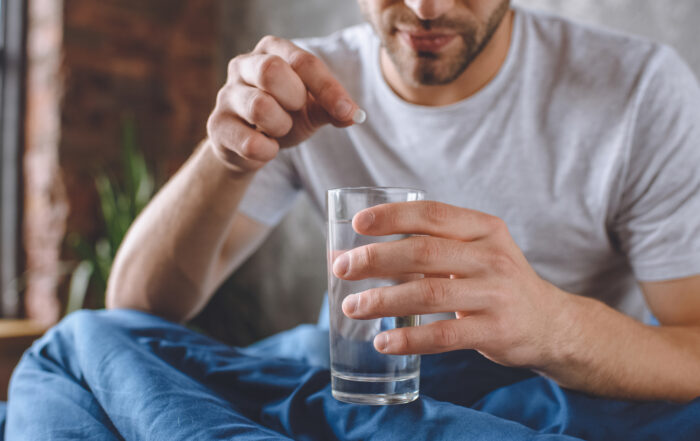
(375, 390)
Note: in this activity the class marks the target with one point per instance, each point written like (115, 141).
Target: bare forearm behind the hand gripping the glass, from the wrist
(604, 352)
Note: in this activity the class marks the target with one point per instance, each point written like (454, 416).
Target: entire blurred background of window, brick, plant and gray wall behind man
(101, 101)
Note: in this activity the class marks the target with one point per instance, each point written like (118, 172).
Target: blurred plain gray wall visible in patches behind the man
(291, 293)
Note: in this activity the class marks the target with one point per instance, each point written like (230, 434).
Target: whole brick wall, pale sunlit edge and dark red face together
(156, 60)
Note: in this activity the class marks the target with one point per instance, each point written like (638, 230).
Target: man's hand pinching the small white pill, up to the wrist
(276, 96)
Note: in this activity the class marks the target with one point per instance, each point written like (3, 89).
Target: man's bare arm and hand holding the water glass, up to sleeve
(512, 316)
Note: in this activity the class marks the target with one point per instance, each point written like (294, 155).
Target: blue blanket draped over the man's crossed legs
(129, 375)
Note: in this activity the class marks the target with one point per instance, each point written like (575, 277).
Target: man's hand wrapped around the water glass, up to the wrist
(472, 267)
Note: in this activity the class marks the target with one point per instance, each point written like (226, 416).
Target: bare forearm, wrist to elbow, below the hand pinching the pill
(166, 260)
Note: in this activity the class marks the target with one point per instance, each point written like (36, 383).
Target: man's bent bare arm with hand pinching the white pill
(190, 237)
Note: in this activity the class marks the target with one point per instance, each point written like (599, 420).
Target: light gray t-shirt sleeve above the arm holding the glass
(657, 222)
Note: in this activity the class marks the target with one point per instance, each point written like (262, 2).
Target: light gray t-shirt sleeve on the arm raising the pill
(273, 190)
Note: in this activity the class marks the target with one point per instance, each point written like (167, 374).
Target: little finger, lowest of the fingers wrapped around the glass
(436, 337)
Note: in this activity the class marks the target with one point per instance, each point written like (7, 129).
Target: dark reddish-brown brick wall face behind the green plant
(154, 59)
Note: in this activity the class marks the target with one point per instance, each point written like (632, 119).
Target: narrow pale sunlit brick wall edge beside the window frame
(46, 204)
